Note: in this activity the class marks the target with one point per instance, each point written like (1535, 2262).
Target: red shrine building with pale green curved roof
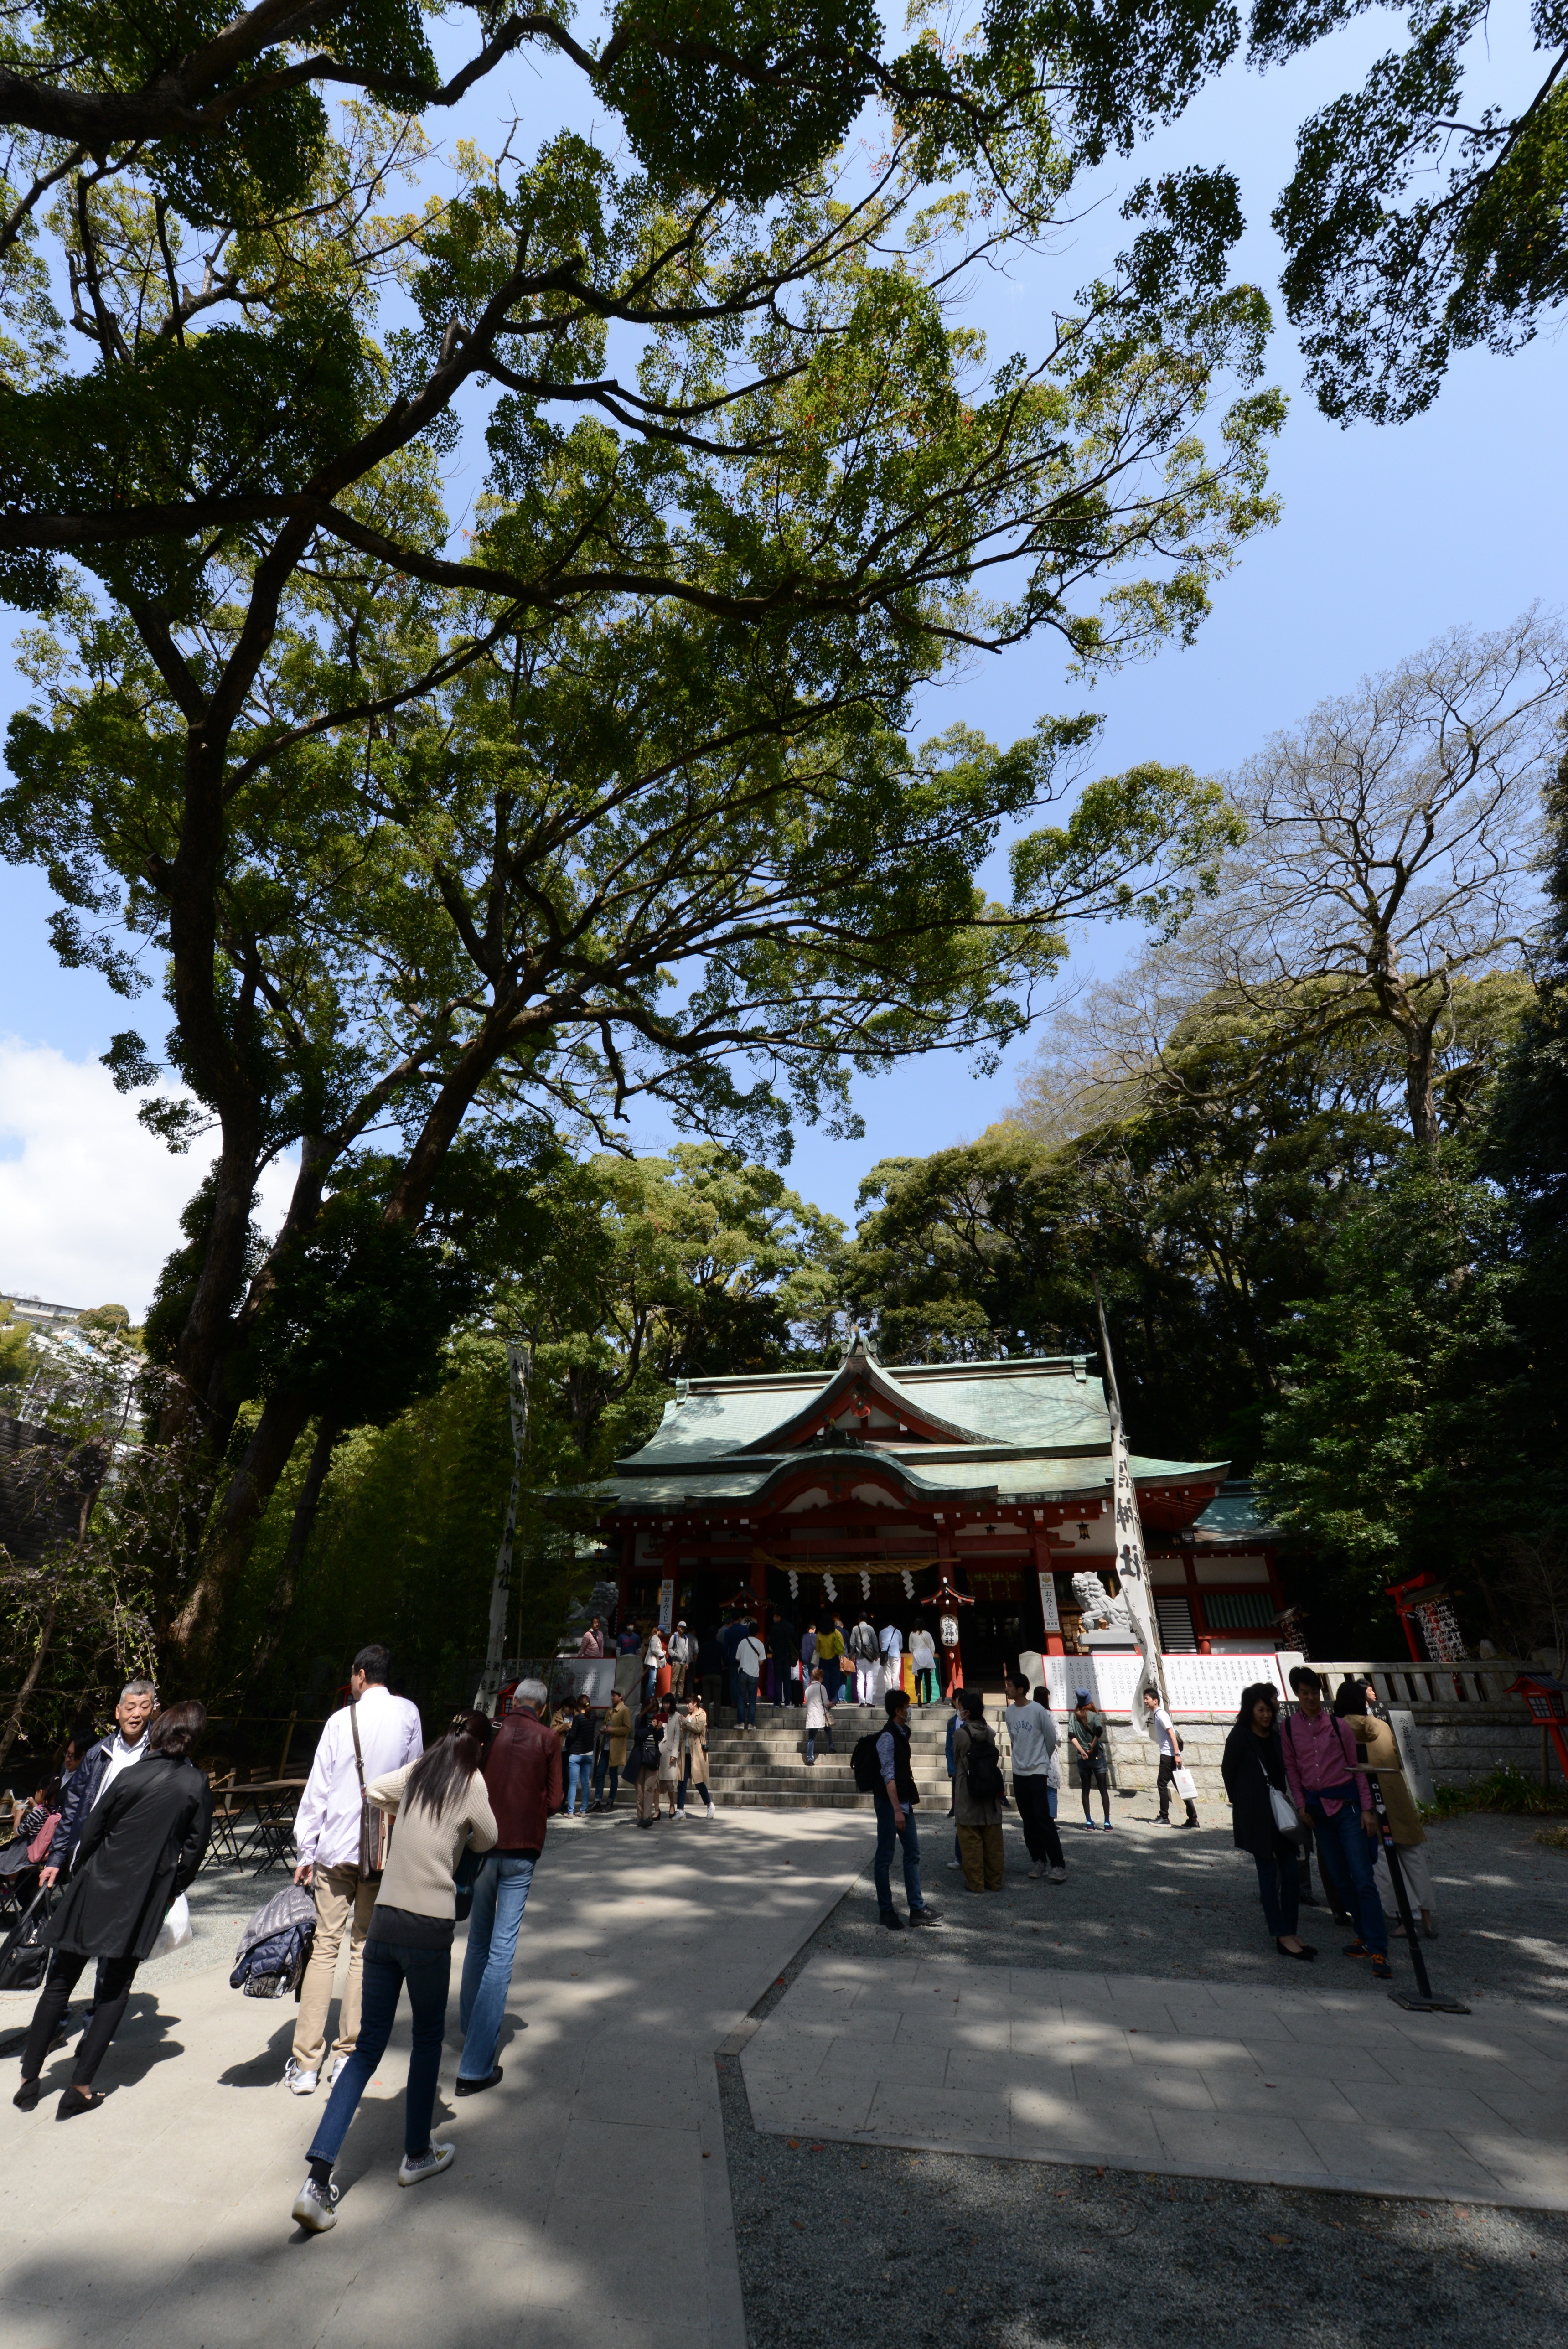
(825, 1490)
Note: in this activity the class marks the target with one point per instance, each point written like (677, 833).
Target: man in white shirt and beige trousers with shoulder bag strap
(327, 1847)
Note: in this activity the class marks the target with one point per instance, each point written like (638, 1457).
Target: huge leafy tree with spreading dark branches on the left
(450, 835)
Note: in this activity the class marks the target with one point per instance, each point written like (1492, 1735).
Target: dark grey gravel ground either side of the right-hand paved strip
(893, 2249)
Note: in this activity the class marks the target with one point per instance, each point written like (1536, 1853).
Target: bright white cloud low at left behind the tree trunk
(90, 1204)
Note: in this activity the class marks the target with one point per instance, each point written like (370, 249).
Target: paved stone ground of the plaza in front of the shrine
(687, 2000)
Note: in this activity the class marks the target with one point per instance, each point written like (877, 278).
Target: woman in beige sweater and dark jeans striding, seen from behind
(442, 1810)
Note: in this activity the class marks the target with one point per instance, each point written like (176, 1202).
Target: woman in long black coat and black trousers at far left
(140, 1850)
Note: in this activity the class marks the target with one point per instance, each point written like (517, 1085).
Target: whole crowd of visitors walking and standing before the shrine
(400, 1840)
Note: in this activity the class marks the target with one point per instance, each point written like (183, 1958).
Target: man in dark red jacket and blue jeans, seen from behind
(525, 1784)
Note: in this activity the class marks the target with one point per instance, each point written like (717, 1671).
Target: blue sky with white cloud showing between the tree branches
(1386, 539)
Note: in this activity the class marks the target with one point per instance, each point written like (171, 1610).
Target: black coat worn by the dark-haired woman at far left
(142, 1847)
